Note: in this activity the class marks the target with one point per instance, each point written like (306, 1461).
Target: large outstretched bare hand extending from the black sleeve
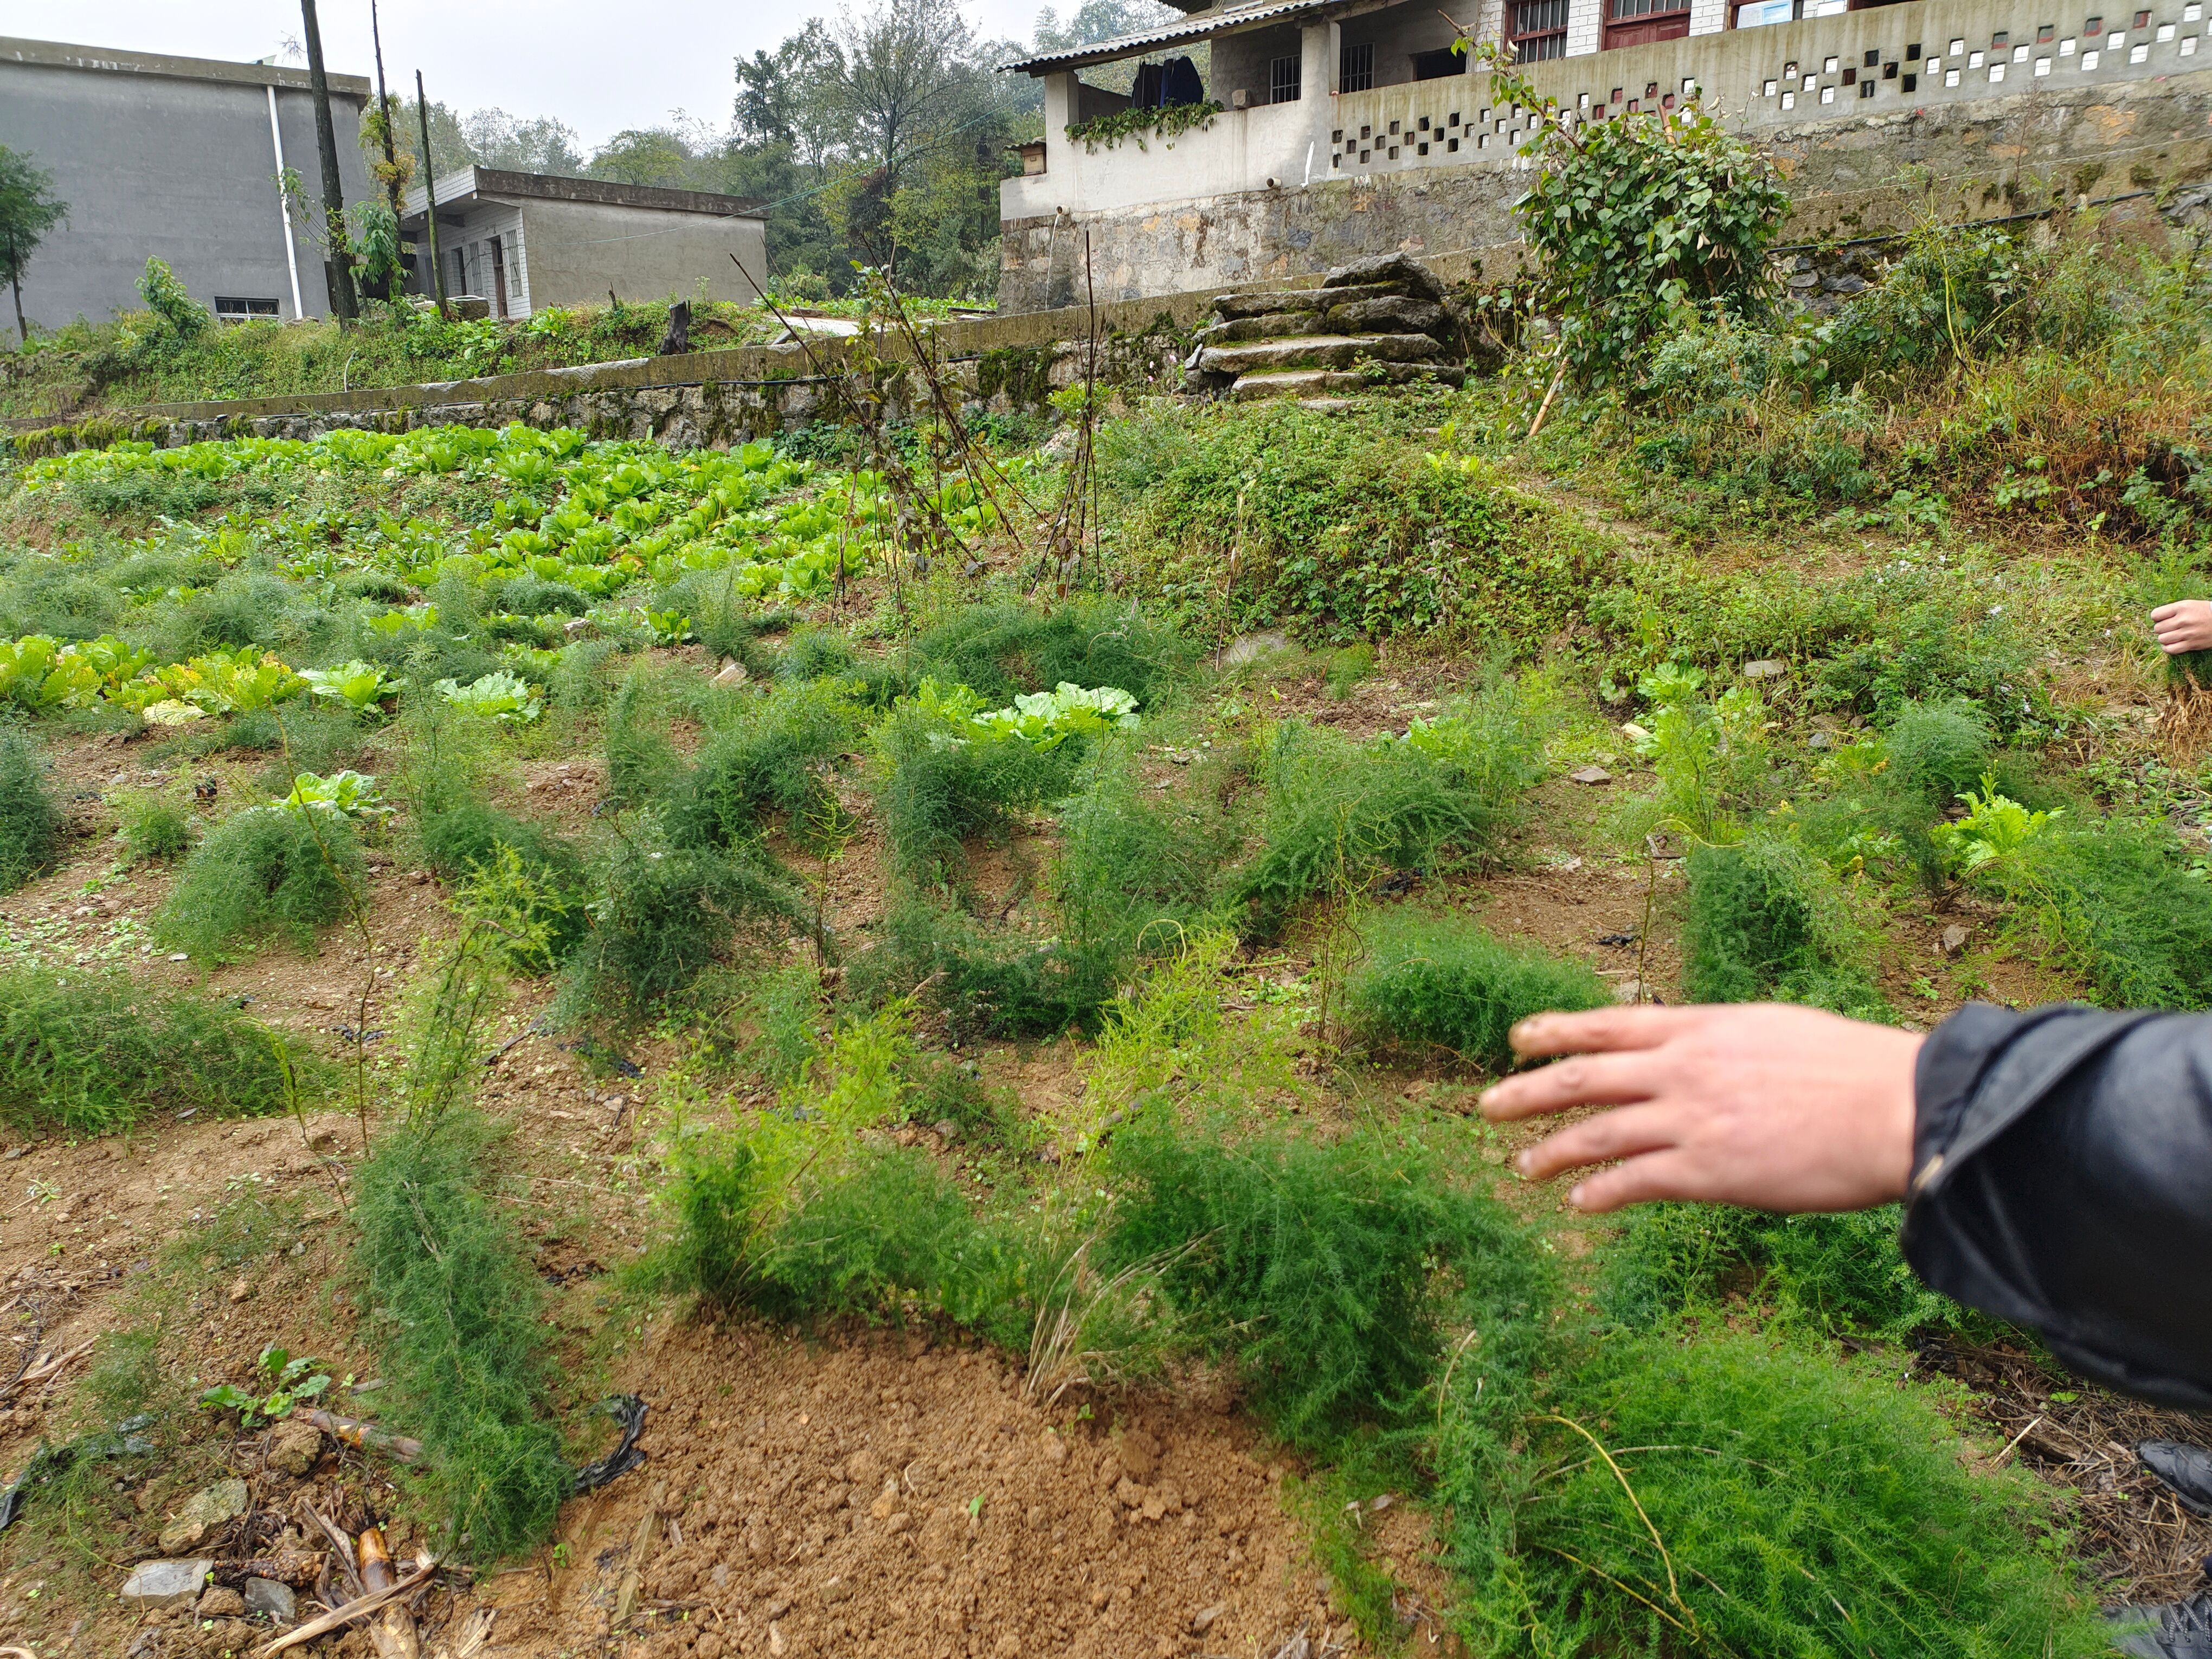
(1760, 1105)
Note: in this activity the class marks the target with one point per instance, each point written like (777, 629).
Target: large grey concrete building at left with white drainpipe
(174, 158)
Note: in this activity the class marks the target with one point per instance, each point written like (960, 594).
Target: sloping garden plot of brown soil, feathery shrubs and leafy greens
(990, 1067)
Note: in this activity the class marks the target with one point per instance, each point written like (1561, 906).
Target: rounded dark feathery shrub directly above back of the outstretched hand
(1768, 921)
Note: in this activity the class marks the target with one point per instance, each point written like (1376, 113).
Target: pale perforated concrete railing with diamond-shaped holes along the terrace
(1886, 61)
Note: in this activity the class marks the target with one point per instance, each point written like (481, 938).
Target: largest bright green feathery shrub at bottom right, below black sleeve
(1749, 1496)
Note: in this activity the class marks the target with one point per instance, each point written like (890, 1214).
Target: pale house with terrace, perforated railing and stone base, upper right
(1350, 127)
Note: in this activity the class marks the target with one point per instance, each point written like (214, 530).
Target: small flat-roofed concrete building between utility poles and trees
(534, 240)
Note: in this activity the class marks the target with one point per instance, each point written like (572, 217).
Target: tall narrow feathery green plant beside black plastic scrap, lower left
(459, 1335)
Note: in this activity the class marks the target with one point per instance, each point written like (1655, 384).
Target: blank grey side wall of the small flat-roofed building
(583, 249)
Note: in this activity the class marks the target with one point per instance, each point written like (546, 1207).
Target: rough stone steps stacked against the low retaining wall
(1373, 324)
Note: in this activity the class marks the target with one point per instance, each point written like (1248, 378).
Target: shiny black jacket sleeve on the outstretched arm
(2063, 1180)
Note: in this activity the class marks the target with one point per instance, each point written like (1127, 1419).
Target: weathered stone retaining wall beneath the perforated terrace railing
(1987, 158)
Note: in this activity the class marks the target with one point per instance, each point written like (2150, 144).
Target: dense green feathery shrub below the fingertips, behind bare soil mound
(1322, 1269)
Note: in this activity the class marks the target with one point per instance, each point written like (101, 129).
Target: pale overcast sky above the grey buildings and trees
(601, 67)
